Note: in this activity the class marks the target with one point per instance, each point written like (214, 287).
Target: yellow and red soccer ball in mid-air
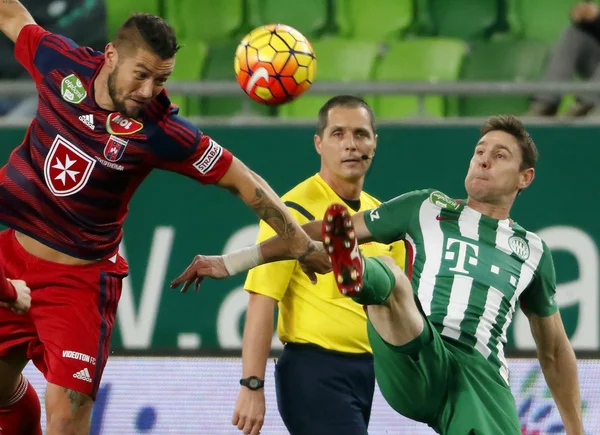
(275, 64)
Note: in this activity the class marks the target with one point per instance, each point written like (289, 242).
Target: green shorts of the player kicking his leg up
(445, 384)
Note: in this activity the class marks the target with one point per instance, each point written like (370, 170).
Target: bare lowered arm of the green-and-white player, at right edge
(559, 366)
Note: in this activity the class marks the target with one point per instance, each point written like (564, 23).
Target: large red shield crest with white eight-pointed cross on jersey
(66, 169)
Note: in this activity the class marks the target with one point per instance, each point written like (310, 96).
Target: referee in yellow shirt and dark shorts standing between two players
(324, 378)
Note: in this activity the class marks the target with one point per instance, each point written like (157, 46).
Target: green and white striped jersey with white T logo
(468, 270)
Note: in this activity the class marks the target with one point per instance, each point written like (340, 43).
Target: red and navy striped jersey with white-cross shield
(68, 185)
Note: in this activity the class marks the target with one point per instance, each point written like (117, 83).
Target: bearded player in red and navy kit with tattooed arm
(103, 123)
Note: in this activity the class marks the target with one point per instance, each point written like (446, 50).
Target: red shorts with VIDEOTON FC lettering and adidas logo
(67, 330)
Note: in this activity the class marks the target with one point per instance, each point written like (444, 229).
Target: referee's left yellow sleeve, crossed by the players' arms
(272, 279)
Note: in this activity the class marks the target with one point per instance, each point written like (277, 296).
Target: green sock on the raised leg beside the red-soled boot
(378, 282)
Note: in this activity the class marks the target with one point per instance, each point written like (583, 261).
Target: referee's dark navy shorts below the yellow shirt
(322, 392)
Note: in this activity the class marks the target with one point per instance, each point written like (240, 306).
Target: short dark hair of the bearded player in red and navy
(150, 30)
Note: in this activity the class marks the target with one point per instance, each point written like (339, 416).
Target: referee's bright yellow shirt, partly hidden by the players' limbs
(317, 314)
